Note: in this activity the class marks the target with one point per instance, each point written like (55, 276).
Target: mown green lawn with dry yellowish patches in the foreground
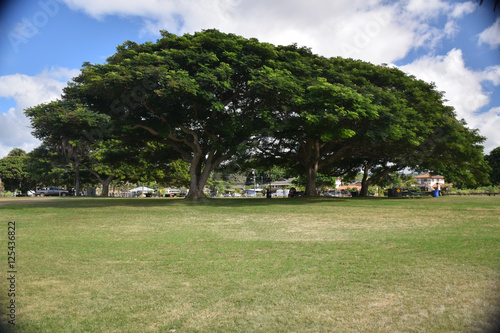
(253, 265)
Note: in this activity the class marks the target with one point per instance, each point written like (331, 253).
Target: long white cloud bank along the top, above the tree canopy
(377, 31)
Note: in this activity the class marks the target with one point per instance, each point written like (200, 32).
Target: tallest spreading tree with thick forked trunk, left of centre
(189, 91)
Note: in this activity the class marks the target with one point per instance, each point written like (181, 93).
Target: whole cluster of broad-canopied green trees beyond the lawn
(186, 106)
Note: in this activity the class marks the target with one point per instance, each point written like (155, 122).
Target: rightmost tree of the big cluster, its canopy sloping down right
(415, 129)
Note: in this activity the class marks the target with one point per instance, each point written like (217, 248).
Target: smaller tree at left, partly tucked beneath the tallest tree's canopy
(85, 139)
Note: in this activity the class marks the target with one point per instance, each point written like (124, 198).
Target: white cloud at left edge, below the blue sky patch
(27, 91)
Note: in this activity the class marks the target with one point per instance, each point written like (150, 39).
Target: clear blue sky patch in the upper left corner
(67, 39)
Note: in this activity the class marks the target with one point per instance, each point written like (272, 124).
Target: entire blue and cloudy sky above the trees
(455, 44)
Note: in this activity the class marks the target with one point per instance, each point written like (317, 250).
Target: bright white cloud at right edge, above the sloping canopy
(463, 90)
